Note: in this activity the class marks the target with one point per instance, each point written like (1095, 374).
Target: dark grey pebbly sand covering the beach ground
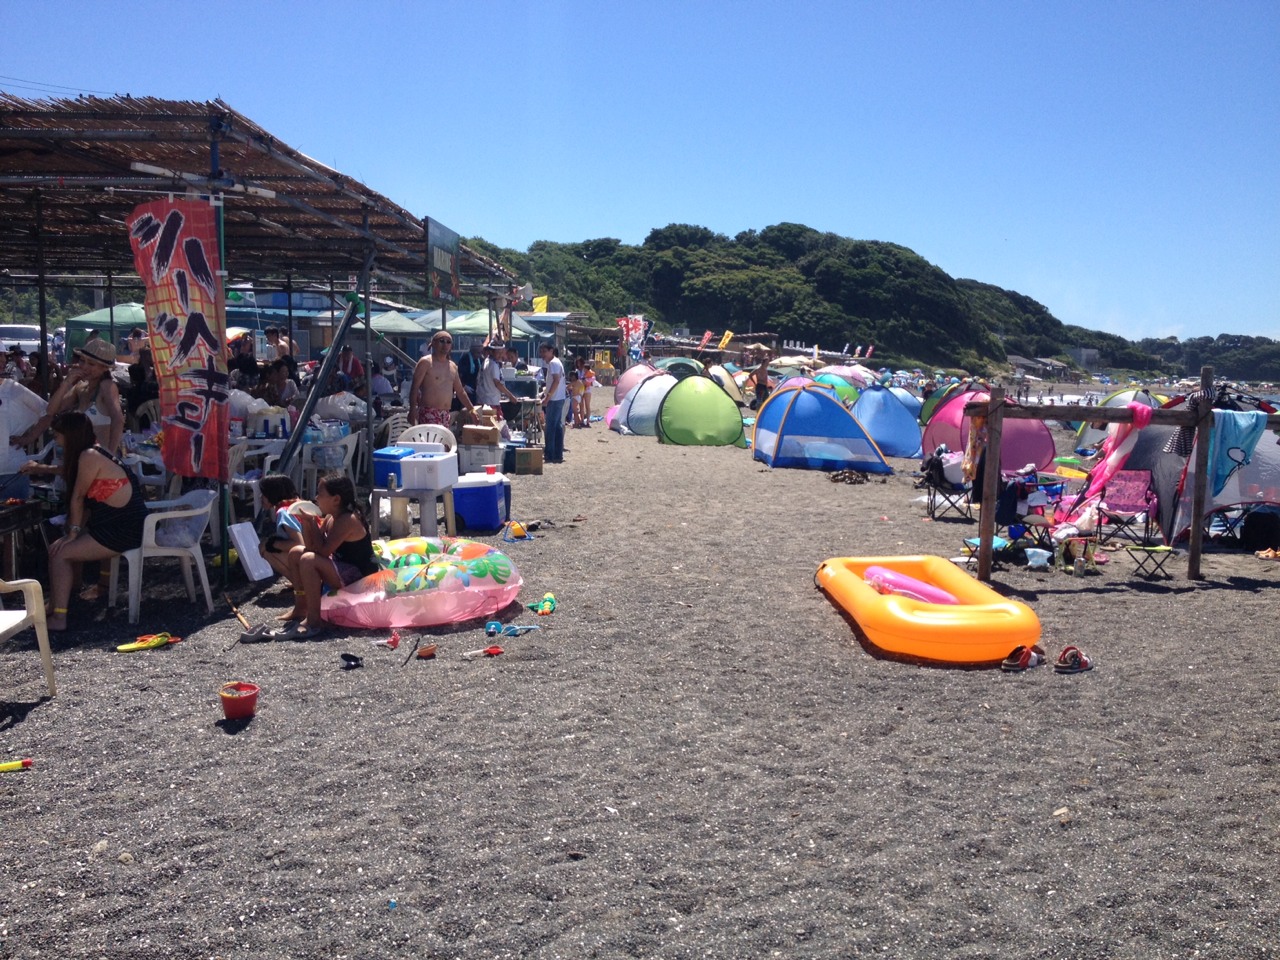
(696, 757)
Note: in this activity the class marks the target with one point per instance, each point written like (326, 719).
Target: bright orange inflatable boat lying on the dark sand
(982, 627)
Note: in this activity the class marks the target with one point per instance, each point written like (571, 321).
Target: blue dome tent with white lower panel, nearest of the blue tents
(808, 427)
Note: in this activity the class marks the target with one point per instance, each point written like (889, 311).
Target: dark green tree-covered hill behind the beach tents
(820, 287)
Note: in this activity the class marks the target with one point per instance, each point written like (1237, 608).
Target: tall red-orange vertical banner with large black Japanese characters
(176, 254)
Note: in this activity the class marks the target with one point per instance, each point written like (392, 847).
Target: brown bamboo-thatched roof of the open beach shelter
(72, 170)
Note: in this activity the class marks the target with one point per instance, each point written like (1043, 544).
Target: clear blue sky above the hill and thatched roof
(1117, 162)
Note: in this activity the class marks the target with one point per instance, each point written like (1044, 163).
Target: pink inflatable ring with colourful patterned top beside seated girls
(427, 582)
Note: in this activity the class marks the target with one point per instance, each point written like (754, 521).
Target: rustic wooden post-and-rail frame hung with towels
(998, 410)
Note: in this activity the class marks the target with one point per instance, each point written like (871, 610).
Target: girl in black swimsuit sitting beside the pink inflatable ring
(337, 550)
